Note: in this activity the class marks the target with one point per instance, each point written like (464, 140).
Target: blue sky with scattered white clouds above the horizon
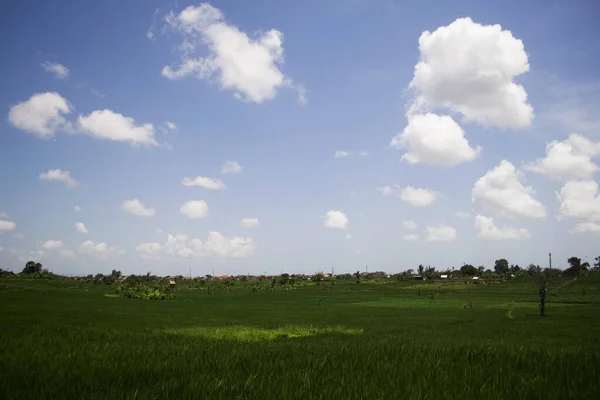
(259, 137)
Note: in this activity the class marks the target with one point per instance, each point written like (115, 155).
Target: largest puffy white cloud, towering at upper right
(470, 68)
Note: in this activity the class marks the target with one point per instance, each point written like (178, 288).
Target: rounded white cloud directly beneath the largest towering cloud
(435, 140)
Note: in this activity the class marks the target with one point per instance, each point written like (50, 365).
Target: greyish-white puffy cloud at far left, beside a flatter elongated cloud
(42, 114)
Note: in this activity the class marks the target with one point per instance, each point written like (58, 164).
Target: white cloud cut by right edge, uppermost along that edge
(570, 159)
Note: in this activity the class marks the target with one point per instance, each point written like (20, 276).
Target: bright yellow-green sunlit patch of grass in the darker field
(252, 334)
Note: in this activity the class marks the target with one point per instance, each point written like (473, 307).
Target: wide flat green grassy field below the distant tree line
(367, 340)
